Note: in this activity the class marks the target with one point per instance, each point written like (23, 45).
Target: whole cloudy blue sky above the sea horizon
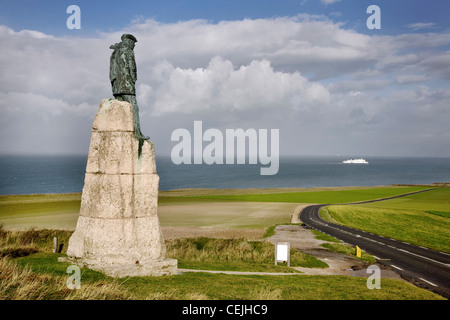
(310, 68)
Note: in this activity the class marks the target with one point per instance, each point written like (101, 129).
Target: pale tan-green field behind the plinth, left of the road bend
(61, 212)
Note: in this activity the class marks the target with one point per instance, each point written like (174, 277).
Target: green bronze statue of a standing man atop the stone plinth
(123, 76)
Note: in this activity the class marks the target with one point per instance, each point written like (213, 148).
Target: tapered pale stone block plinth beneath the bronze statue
(118, 231)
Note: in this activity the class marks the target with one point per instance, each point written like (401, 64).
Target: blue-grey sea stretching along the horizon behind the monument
(65, 174)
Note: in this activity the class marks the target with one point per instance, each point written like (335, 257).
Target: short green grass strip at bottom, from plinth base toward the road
(221, 286)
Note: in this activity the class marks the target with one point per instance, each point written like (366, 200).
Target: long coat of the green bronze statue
(122, 72)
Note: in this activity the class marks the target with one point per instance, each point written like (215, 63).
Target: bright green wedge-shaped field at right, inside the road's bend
(421, 219)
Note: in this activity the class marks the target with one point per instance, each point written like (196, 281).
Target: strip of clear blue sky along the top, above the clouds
(49, 16)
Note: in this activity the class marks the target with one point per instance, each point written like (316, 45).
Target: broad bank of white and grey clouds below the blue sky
(324, 86)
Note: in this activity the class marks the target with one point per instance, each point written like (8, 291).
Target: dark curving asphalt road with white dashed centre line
(424, 267)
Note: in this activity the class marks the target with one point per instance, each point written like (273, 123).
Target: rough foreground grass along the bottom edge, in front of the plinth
(39, 276)
